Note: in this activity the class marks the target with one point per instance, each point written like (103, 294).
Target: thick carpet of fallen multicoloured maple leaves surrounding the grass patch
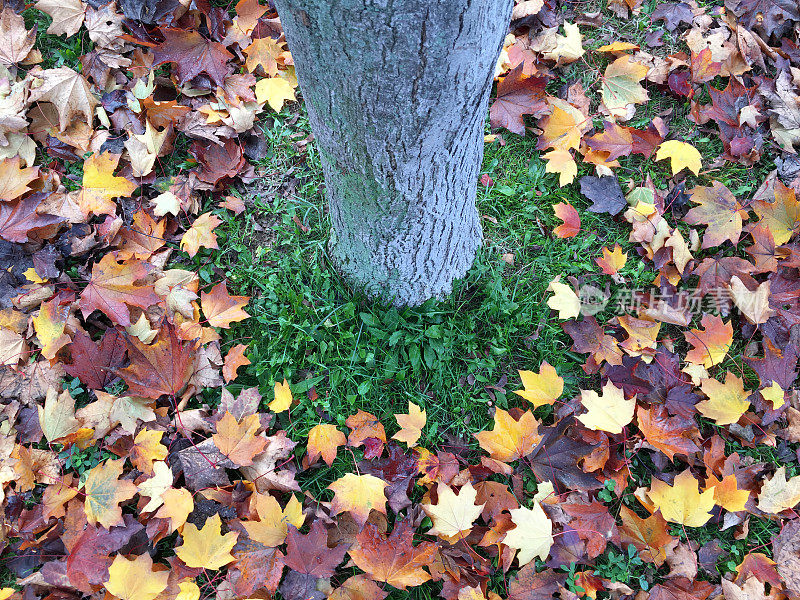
(148, 492)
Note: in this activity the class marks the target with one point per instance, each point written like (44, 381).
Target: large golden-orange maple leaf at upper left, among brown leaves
(101, 186)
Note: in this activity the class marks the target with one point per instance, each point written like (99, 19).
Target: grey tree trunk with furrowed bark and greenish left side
(396, 91)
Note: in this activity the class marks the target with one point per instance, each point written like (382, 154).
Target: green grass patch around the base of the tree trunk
(309, 327)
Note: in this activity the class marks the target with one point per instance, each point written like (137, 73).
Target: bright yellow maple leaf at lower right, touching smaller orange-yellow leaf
(682, 502)
